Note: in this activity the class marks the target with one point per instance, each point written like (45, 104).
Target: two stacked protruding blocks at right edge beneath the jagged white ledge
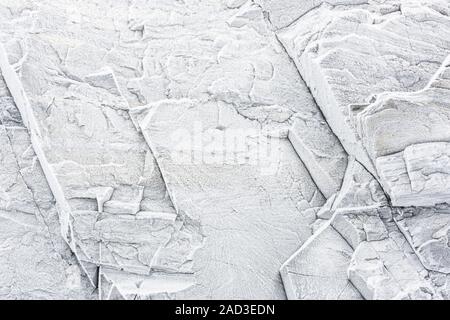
(412, 154)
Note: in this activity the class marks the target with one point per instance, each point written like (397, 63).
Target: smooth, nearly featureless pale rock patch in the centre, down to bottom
(199, 147)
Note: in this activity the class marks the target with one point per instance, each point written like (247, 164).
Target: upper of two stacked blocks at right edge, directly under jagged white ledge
(398, 120)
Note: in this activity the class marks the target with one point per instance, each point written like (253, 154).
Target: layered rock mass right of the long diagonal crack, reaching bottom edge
(386, 101)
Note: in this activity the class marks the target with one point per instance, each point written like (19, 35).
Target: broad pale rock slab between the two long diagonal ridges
(114, 209)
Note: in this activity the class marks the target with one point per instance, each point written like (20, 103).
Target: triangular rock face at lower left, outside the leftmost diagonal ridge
(35, 261)
